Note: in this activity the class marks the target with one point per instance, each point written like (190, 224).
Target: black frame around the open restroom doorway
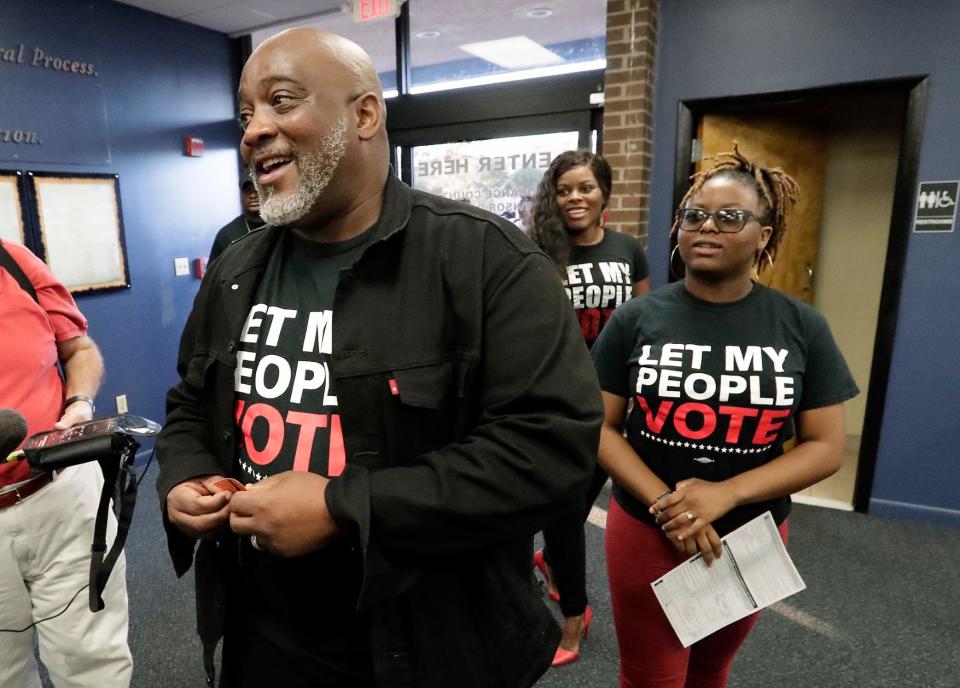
(901, 219)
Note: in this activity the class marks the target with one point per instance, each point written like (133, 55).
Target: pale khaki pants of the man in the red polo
(44, 560)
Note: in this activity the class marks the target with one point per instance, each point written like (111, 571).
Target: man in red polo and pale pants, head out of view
(46, 520)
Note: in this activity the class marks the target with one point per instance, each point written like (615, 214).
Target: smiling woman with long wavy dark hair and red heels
(601, 269)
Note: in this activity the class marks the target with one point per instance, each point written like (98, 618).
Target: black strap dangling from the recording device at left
(120, 482)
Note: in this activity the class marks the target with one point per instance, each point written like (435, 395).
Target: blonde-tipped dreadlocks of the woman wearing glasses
(777, 191)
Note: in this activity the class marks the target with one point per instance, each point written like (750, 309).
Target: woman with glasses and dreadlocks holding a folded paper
(721, 371)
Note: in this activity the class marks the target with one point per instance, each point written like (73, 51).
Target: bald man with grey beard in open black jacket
(381, 400)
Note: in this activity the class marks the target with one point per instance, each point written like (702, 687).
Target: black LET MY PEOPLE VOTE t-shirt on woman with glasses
(715, 386)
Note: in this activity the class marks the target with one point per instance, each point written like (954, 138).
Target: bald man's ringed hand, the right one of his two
(287, 512)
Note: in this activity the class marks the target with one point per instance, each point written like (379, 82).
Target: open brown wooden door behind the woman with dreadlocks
(800, 148)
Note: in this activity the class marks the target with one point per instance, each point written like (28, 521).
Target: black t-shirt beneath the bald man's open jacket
(287, 419)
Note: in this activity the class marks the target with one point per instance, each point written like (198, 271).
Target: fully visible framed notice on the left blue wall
(81, 229)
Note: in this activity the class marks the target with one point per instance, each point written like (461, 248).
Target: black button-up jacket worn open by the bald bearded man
(494, 432)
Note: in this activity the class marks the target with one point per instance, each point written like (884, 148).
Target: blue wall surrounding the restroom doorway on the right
(735, 47)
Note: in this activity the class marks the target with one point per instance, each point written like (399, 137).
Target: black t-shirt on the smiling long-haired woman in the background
(601, 277)
